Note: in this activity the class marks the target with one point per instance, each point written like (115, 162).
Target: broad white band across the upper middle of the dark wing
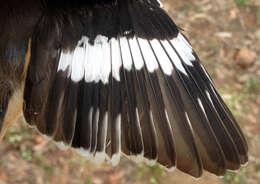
(106, 57)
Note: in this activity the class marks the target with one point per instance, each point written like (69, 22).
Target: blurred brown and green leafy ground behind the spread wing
(226, 34)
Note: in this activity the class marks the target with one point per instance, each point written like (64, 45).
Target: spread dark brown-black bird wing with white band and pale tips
(118, 77)
